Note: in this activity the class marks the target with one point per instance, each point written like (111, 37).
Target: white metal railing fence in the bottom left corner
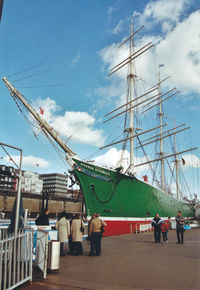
(15, 258)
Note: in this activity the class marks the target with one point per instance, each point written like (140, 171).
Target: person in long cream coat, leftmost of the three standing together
(63, 227)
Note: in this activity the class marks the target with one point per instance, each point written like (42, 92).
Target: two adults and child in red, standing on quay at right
(162, 226)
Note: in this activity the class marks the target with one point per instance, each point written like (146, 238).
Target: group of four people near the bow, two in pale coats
(71, 229)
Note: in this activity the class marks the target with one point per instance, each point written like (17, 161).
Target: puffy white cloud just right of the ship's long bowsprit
(79, 126)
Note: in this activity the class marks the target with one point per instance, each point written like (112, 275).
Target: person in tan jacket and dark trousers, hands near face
(95, 234)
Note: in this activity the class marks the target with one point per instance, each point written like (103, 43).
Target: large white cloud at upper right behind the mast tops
(178, 49)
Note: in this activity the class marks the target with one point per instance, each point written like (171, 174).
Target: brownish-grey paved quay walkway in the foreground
(131, 262)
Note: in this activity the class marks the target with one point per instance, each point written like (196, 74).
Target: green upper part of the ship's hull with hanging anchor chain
(113, 194)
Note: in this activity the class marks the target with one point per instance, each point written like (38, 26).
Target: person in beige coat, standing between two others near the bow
(77, 230)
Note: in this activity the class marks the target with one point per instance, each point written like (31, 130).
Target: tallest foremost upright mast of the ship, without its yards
(131, 113)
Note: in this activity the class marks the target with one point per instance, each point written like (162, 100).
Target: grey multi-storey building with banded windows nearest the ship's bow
(55, 184)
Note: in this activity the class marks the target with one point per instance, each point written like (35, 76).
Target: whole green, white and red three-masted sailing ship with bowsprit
(117, 194)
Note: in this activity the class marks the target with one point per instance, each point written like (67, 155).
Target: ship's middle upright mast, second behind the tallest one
(160, 115)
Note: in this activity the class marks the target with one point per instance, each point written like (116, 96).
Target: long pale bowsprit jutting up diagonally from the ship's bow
(42, 123)
